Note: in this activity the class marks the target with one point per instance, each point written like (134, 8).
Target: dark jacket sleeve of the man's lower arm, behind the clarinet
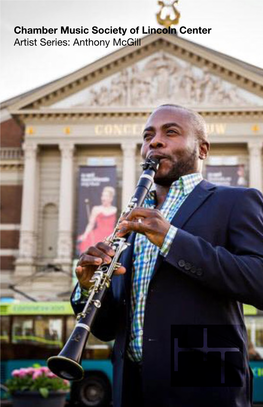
(104, 326)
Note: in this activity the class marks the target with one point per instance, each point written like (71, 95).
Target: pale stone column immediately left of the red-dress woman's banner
(65, 226)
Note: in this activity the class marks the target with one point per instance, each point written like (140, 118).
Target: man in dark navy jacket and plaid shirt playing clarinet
(174, 307)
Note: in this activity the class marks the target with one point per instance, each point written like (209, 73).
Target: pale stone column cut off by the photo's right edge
(255, 164)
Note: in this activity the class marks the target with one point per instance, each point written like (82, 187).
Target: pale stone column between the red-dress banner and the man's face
(129, 171)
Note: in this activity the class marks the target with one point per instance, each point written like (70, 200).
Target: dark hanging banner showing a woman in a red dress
(97, 211)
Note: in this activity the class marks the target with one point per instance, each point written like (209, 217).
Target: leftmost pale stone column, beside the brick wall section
(27, 243)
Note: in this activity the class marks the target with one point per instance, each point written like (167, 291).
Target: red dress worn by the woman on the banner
(103, 228)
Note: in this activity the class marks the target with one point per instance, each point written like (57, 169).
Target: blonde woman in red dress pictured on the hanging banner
(101, 222)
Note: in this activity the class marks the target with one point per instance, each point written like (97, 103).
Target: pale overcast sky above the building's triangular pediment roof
(237, 30)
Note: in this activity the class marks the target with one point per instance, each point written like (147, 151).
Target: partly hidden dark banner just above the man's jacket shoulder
(227, 175)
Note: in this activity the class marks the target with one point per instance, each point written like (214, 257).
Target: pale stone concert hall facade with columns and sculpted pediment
(99, 112)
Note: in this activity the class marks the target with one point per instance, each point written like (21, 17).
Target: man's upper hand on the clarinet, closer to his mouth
(149, 222)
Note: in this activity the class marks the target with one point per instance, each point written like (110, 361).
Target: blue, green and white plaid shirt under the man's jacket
(144, 258)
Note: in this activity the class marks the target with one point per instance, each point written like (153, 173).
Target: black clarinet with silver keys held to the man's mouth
(67, 364)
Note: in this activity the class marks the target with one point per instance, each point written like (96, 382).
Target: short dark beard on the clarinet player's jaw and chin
(184, 164)
